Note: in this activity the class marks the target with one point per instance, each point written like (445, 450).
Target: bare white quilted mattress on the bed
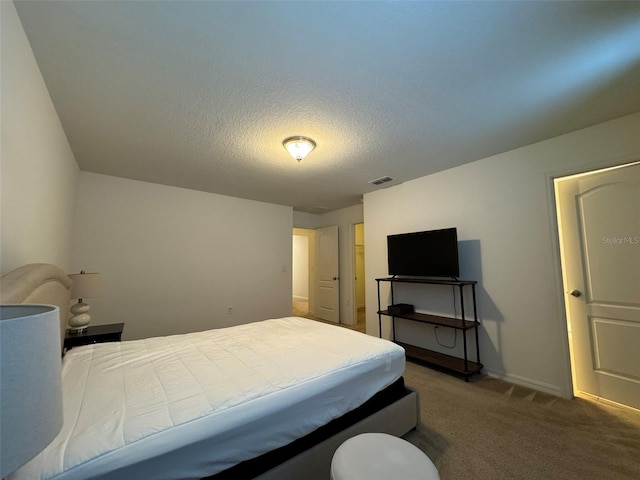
(188, 406)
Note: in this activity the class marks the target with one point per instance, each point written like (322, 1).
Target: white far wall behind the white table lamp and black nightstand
(174, 260)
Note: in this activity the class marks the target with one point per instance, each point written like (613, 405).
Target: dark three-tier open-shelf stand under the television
(462, 366)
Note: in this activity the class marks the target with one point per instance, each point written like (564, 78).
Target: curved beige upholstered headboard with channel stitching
(39, 283)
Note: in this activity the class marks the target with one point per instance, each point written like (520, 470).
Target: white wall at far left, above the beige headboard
(39, 172)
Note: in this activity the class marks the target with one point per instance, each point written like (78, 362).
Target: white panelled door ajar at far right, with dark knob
(599, 221)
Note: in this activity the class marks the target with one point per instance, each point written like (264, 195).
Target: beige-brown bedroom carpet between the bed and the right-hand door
(488, 429)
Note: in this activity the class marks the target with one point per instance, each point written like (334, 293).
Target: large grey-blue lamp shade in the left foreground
(30, 382)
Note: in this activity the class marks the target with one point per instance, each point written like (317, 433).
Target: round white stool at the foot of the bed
(378, 456)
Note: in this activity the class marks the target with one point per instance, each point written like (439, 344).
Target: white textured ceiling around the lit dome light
(201, 94)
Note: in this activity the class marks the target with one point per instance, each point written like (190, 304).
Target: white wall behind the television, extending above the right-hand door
(503, 209)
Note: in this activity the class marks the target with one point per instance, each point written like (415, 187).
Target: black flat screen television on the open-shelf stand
(432, 253)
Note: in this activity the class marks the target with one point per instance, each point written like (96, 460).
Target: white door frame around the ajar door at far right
(569, 389)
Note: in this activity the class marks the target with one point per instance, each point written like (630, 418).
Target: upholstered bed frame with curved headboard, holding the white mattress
(394, 411)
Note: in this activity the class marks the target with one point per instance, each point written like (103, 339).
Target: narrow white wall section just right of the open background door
(345, 219)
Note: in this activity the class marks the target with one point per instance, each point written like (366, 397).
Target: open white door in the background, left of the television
(328, 297)
